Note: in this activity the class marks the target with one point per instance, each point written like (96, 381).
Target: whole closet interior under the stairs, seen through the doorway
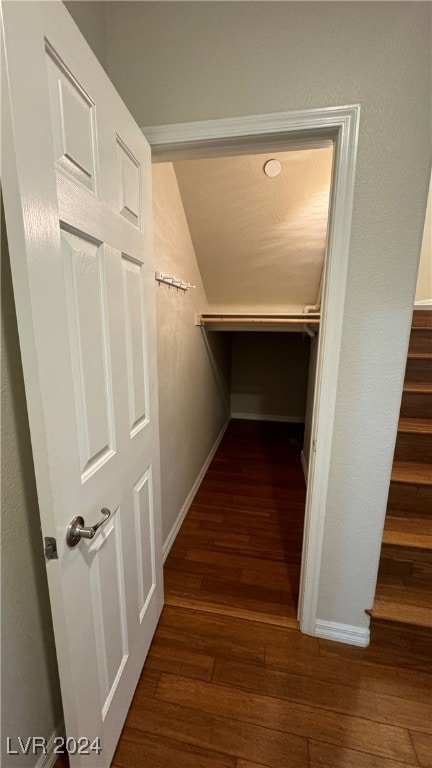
(240, 244)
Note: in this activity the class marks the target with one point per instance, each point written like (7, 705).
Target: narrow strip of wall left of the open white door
(31, 703)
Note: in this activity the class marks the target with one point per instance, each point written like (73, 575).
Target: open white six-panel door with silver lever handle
(77, 187)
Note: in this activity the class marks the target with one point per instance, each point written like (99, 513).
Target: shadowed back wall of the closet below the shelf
(269, 375)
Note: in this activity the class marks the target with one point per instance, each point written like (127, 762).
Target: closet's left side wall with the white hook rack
(193, 367)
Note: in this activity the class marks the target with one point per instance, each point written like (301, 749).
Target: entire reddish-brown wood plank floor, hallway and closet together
(229, 681)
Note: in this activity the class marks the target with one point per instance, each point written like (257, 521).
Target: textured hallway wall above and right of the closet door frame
(175, 62)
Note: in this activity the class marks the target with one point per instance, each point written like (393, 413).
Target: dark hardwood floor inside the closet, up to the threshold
(238, 552)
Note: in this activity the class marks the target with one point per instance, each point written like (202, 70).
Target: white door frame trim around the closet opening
(301, 129)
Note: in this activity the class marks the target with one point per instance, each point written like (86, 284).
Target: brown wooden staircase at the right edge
(404, 587)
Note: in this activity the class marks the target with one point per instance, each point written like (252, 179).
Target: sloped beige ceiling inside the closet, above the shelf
(259, 242)
